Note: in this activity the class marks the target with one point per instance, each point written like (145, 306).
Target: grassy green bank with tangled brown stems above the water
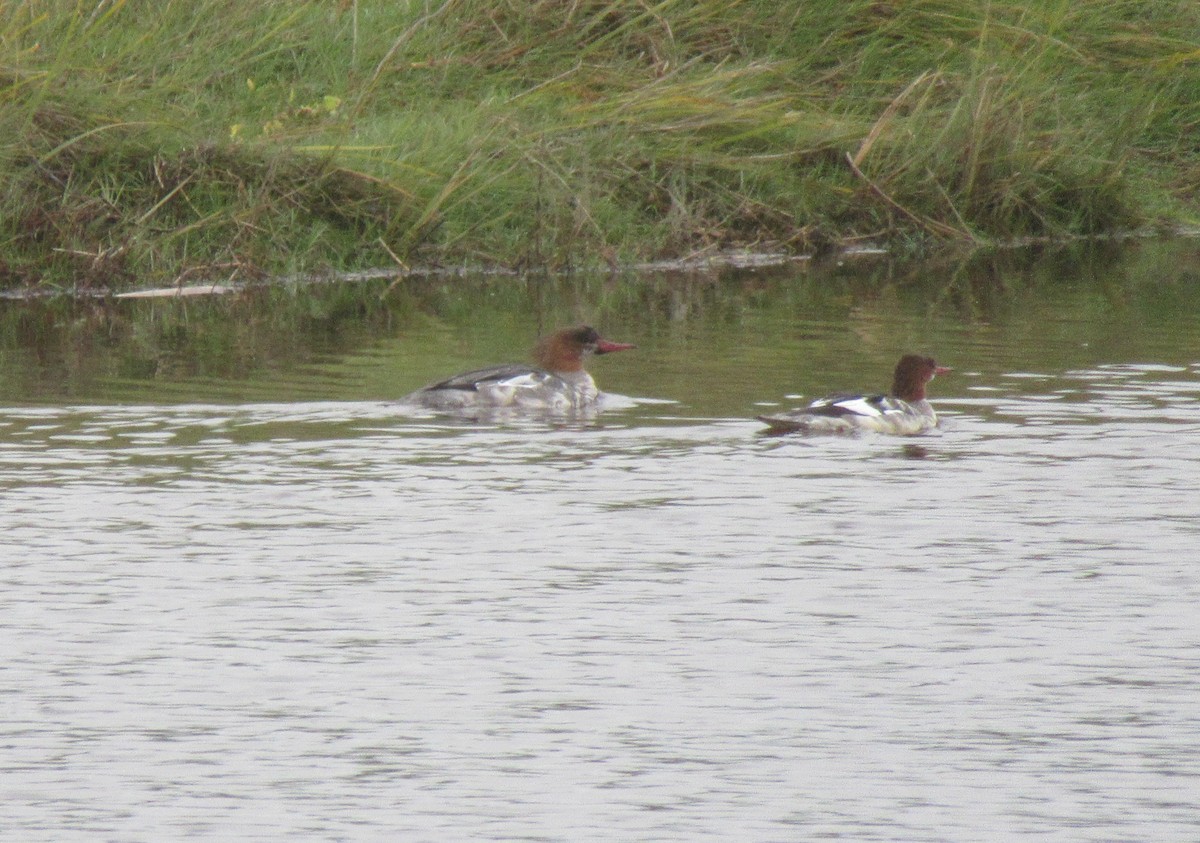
(179, 141)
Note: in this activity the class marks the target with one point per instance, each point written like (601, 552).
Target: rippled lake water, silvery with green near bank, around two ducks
(245, 596)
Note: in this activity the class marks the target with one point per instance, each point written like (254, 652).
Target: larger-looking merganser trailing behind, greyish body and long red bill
(557, 385)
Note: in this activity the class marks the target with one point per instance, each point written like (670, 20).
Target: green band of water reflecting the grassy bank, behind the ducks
(715, 342)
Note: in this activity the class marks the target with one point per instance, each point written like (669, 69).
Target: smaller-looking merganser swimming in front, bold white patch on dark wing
(905, 411)
